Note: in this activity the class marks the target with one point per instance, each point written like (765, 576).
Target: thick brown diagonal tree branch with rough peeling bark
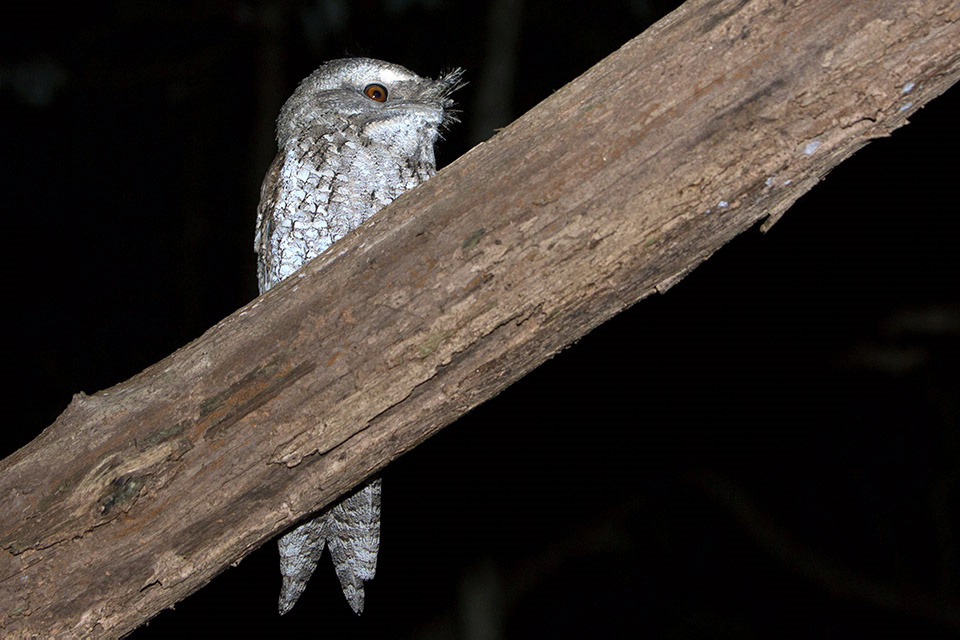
(720, 115)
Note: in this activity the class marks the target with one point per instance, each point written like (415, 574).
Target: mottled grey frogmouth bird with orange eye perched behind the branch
(353, 136)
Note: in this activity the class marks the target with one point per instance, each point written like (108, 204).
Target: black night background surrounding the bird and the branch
(768, 450)
